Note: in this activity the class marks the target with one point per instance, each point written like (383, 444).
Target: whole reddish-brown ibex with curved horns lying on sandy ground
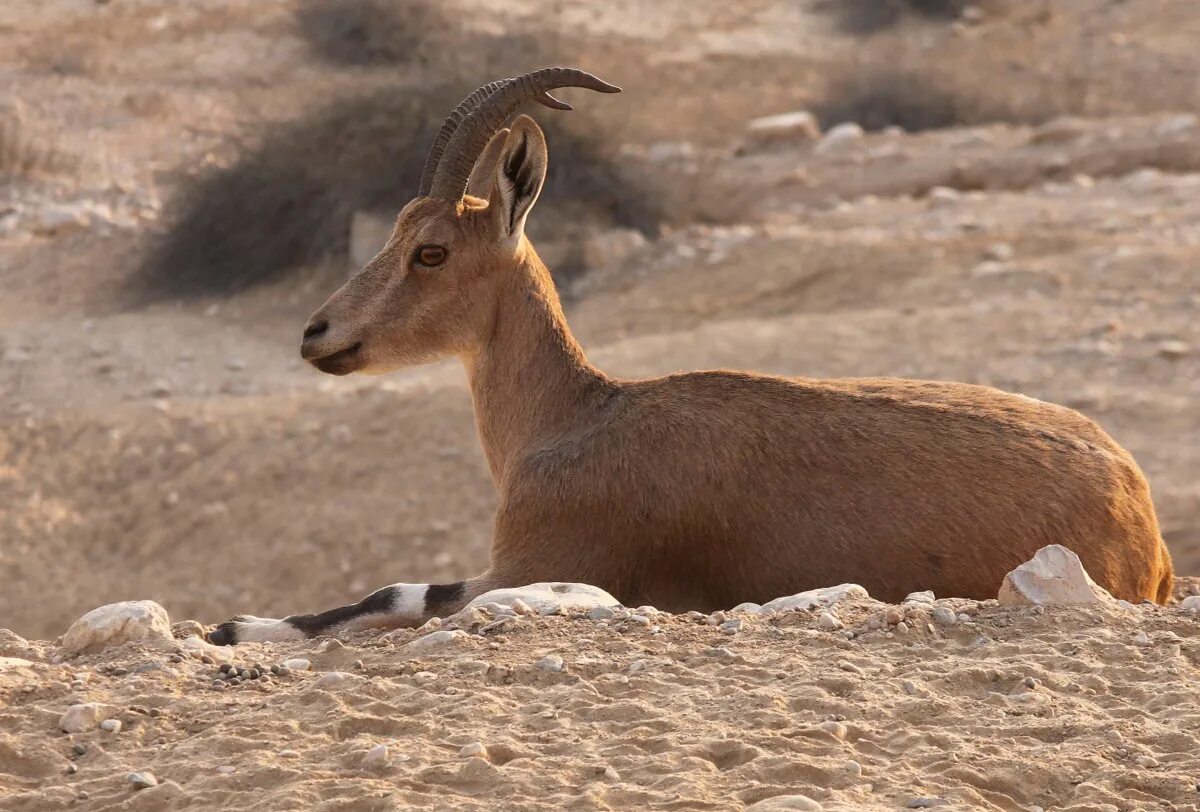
(700, 490)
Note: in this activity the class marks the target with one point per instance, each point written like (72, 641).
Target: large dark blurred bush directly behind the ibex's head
(290, 202)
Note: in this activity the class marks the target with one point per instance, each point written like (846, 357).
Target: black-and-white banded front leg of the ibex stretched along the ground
(392, 608)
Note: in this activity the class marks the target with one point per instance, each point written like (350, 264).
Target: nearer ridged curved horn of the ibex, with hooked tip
(470, 139)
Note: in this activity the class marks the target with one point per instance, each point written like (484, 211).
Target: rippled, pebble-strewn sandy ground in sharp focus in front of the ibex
(1007, 709)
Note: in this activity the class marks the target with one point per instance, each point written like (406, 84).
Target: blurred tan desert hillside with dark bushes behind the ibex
(1003, 191)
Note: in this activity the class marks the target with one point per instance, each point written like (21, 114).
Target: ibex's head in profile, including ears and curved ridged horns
(433, 290)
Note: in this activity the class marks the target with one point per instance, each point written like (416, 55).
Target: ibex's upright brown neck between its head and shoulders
(531, 382)
